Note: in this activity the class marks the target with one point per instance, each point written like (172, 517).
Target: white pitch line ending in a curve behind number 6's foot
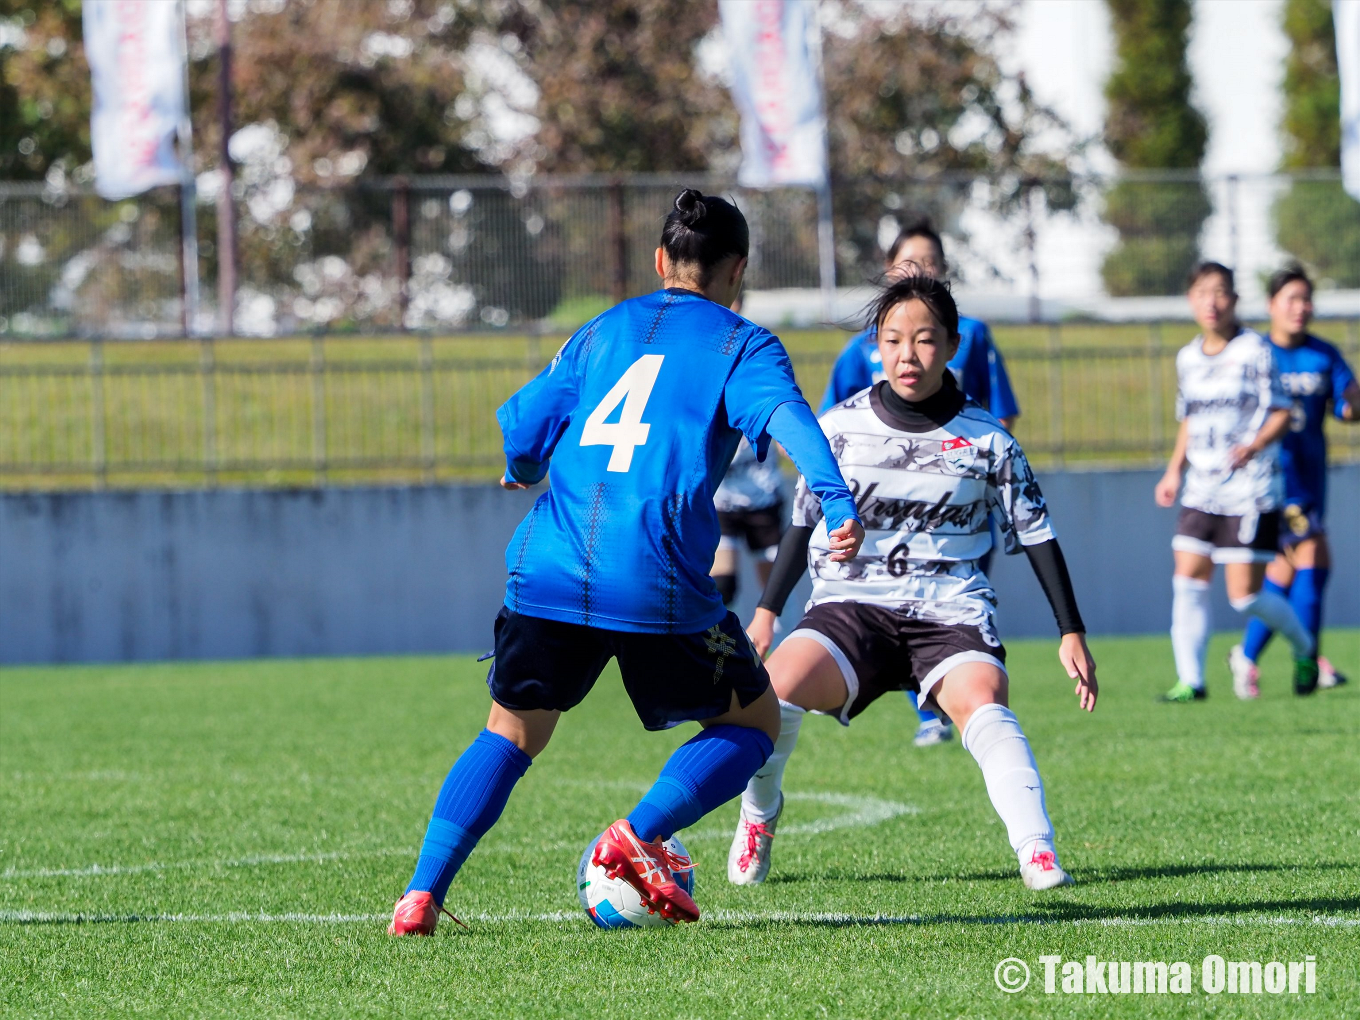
(859, 811)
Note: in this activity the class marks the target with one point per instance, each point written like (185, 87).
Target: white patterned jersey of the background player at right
(1226, 399)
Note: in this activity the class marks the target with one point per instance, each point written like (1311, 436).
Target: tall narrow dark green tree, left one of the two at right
(1153, 126)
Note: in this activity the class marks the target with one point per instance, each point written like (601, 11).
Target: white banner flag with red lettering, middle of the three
(777, 86)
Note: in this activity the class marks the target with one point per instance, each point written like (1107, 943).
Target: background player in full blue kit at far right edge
(1314, 375)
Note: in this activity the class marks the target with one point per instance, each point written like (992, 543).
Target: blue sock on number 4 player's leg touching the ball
(704, 773)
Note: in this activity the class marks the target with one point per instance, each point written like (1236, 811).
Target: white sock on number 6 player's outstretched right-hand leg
(995, 739)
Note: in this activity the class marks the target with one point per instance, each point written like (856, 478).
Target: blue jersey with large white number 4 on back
(641, 413)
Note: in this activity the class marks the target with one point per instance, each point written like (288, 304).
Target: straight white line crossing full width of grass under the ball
(571, 917)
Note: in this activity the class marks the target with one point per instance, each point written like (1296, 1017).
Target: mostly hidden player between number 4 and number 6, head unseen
(750, 505)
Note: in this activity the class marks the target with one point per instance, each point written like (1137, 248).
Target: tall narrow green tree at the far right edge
(1316, 221)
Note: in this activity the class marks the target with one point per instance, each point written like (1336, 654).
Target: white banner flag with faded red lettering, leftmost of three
(135, 52)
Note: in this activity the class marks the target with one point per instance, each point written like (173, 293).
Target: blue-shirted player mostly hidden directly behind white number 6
(977, 368)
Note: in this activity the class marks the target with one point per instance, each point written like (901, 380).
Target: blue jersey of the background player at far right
(1312, 373)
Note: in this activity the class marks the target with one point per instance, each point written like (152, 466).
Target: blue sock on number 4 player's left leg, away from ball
(471, 800)
